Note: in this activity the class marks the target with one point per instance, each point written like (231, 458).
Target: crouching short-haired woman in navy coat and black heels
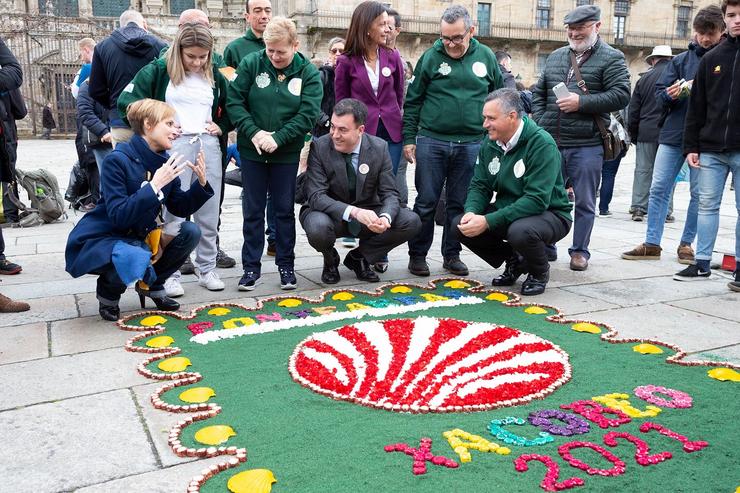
(139, 178)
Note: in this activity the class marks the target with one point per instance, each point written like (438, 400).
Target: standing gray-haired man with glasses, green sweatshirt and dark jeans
(442, 130)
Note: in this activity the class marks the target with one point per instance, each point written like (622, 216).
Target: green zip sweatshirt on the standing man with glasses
(445, 100)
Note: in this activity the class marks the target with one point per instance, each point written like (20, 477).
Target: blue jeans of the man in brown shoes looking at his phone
(668, 162)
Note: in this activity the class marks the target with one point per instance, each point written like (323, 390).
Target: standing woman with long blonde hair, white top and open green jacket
(186, 79)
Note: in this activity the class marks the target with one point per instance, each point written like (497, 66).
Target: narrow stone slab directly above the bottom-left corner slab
(64, 377)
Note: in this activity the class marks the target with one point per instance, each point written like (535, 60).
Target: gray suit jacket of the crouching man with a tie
(327, 185)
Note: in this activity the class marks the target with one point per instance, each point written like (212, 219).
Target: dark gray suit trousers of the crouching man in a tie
(322, 231)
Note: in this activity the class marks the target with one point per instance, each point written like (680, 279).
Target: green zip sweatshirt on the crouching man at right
(526, 180)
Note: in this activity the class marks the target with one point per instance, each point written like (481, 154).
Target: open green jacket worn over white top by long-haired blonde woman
(152, 81)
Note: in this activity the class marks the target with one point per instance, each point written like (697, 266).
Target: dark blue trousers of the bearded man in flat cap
(582, 166)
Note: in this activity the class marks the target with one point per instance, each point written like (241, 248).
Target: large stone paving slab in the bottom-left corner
(61, 446)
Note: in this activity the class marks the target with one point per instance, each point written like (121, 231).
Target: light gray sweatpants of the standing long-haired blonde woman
(207, 216)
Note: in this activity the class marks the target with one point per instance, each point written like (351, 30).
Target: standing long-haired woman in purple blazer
(372, 73)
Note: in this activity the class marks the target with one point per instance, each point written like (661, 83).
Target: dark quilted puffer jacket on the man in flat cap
(608, 83)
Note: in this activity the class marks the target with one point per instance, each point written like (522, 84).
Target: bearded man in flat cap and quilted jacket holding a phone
(571, 119)
